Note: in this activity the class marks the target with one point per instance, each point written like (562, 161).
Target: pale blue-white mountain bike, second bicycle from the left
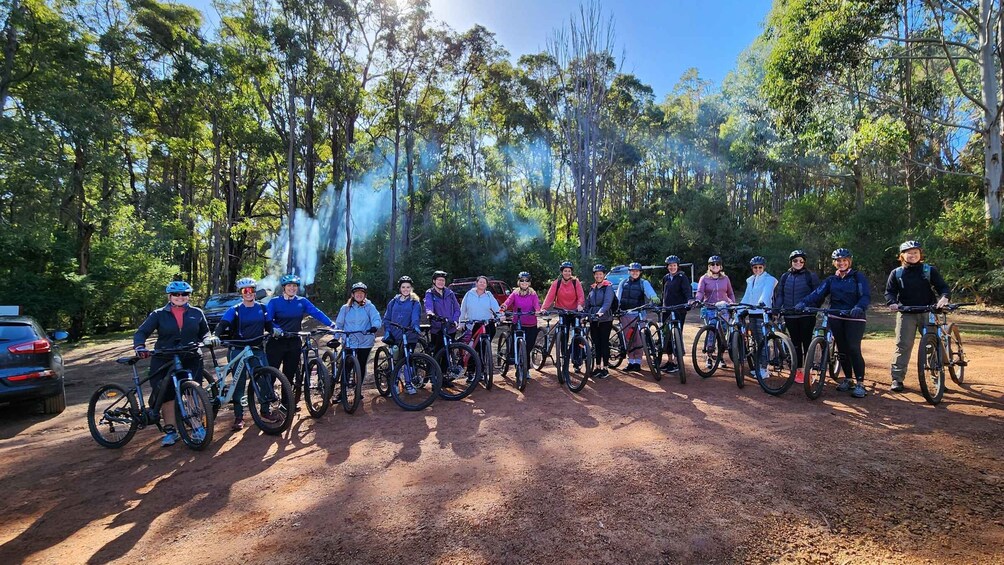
(262, 381)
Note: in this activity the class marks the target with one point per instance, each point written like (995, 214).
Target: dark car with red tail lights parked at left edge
(31, 364)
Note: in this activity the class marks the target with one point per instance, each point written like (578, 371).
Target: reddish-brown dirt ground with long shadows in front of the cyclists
(630, 471)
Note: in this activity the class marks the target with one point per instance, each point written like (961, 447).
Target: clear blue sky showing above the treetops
(661, 39)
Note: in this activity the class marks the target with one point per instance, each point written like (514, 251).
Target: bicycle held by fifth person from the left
(418, 371)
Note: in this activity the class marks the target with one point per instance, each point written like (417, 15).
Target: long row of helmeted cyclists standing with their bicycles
(913, 284)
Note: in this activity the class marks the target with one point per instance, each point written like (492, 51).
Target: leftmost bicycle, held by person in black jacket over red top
(115, 414)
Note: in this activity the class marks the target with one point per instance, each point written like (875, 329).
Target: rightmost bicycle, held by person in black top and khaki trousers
(941, 346)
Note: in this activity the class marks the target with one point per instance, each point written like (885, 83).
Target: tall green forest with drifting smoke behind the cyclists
(363, 140)
